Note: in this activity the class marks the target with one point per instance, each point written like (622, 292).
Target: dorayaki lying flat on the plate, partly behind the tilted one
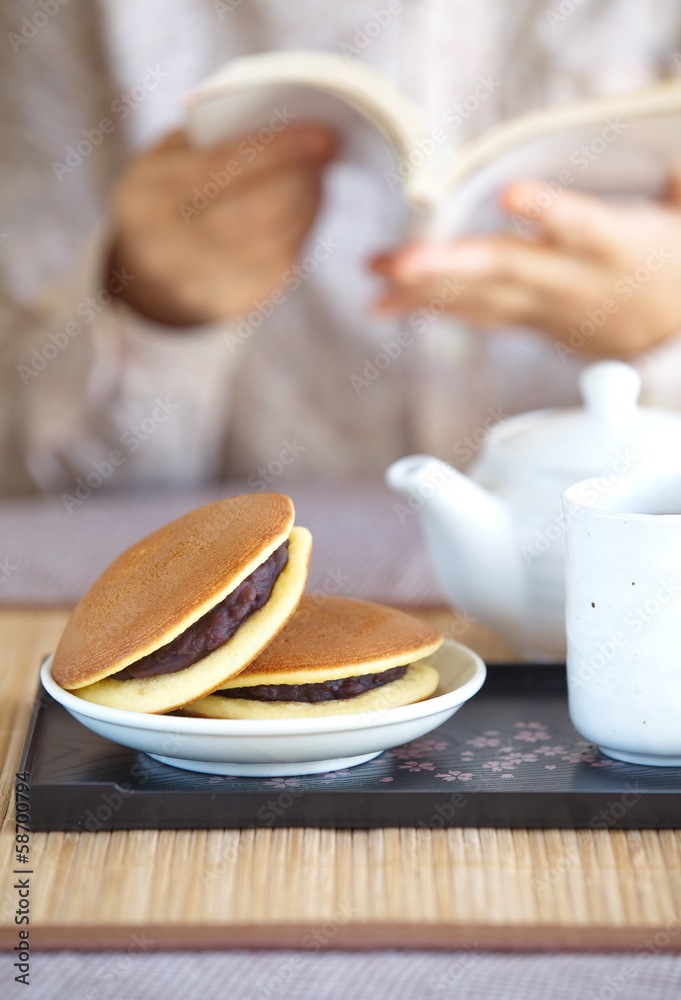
(335, 656)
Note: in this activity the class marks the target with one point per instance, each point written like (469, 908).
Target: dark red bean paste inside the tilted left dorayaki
(216, 627)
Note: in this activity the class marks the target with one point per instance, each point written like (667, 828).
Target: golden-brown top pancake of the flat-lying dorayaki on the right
(330, 637)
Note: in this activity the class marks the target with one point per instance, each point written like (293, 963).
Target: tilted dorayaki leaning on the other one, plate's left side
(185, 609)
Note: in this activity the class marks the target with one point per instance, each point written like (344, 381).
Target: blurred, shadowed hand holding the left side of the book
(205, 233)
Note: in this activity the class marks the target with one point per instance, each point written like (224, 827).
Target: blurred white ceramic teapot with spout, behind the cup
(495, 535)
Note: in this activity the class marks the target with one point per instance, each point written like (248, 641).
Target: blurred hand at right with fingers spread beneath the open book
(599, 278)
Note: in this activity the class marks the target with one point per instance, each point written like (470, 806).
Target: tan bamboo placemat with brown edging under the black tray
(470, 888)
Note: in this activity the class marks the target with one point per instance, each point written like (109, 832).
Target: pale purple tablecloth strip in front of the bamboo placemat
(287, 975)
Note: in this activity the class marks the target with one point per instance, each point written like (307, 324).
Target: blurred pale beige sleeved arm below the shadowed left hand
(102, 392)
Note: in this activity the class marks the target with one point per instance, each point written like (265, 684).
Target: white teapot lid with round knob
(610, 433)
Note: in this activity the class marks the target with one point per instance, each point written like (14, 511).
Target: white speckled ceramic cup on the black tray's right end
(623, 615)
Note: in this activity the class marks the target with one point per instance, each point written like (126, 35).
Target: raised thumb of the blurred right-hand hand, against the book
(575, 221)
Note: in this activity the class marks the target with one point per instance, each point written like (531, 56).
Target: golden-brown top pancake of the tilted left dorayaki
(165, 582)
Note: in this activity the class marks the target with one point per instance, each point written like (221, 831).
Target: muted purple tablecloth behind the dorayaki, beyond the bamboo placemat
(362, 548)
